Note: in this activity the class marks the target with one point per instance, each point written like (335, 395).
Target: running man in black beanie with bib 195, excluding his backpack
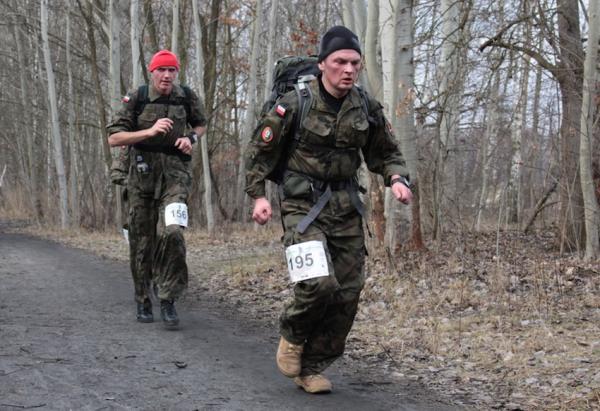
(320, 206)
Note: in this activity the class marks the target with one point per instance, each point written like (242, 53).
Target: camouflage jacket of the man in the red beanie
(157, 107)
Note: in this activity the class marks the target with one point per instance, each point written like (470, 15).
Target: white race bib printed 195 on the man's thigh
(306, 260)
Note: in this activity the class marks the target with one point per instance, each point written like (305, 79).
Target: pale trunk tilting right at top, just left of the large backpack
(250, 117)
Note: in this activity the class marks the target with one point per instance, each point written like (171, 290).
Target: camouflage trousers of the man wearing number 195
(323, 309)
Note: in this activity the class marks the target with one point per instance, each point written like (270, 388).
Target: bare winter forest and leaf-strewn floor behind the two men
(494, 105)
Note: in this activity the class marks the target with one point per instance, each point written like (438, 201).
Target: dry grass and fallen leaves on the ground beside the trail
(514, 330)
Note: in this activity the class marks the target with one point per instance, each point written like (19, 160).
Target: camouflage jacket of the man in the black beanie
(330, 143)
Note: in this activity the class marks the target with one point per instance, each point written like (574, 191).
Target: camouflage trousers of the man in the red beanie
(157, 252)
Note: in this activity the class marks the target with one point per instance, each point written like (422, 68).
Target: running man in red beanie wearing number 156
(159, 123)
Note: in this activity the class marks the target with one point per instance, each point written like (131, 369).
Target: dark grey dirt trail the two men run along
(69, 340)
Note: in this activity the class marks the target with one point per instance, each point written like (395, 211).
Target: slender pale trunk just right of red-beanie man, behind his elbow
(210, 218)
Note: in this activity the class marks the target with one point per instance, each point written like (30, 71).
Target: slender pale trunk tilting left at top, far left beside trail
(56, 138)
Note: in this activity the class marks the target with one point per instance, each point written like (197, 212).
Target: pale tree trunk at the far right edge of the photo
(588, 117)
